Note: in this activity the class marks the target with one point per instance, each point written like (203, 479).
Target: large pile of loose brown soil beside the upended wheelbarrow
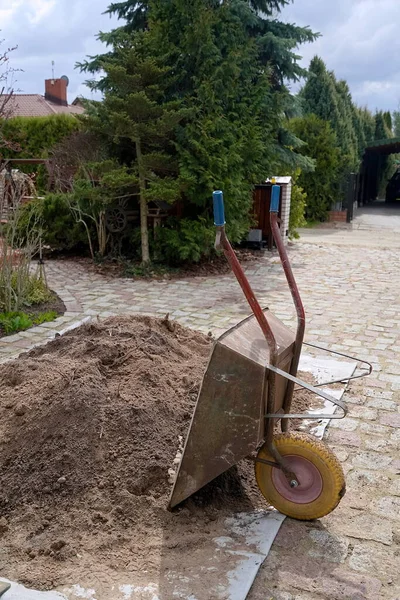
(90, 424)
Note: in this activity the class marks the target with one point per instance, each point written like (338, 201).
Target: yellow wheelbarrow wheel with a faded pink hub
(320, 475)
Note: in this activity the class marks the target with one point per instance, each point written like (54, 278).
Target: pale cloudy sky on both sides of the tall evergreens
(359, 41)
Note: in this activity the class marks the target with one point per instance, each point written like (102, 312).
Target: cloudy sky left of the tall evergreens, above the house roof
(45, 30)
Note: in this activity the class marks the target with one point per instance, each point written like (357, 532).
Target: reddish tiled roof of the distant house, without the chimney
(35, 105)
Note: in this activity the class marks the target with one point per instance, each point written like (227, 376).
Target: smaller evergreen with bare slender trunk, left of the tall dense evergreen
(135, 115)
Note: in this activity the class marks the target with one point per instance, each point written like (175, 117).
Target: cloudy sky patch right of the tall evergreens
(360, 42)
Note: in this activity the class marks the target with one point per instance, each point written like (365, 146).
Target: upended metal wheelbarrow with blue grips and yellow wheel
(248, 385)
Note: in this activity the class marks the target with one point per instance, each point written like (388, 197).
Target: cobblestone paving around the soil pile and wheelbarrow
(351, 294)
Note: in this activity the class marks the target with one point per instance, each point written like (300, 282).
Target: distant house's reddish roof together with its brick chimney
(54, 102)
